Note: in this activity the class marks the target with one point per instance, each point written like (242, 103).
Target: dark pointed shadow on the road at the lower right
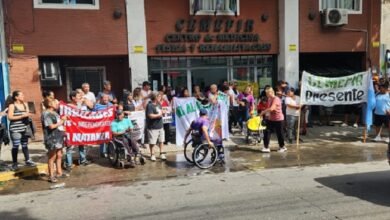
(372, 187)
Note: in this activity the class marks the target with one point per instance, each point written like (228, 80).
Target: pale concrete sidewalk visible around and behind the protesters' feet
(316, 136)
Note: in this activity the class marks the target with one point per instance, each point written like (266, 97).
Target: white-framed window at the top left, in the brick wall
(67, 4)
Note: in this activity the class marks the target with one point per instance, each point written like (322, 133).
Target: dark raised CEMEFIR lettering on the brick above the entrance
(208, 36)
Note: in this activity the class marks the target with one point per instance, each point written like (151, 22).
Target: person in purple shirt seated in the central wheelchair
(200, 126)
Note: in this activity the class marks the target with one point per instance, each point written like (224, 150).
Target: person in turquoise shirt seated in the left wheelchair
(120, 128)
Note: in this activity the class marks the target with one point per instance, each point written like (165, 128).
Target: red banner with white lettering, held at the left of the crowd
(86, 127)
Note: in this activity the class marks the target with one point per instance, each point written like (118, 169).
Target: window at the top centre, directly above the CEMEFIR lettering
(215, 7)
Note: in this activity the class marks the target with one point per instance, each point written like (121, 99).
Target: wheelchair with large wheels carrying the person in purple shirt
(202, 154)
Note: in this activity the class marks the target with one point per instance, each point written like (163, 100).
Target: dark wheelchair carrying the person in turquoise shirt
(116, 153)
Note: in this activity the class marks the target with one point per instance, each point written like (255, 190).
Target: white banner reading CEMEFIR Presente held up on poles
(326, 91)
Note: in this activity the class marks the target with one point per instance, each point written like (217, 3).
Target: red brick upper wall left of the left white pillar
(65, 31)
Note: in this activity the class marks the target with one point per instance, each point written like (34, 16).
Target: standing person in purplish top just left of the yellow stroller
(246, 105)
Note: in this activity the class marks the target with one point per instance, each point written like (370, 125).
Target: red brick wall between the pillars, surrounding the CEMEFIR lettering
(161, 19)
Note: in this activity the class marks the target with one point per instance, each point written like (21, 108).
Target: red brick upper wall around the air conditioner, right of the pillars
(315, 38)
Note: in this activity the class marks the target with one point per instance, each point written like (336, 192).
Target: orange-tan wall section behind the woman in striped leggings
(24, 76)
